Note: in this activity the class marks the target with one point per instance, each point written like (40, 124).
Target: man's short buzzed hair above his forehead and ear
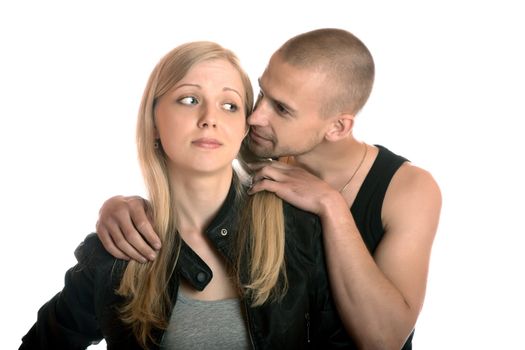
(348, 64)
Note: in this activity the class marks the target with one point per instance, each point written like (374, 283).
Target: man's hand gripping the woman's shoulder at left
(125, 229)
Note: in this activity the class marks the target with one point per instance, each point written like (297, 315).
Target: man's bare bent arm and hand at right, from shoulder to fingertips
(378, 297)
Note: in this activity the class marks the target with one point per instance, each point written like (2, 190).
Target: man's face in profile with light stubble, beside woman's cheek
(286, 120)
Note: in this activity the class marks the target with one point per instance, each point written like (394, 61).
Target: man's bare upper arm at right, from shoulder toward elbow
(410, 215)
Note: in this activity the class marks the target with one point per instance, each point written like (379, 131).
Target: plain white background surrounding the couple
(449, 96)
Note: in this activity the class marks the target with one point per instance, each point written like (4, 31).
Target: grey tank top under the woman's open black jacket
(198, 324)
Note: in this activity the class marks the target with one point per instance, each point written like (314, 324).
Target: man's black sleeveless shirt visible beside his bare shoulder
(367, 205)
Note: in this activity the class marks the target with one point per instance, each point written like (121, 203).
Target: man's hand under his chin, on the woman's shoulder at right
(291, 183)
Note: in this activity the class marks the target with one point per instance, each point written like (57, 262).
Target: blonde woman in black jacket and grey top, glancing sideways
(233, 271)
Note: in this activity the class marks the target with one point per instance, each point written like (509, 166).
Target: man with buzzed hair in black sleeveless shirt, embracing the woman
(378, 251)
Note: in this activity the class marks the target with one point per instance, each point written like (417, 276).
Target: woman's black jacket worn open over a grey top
(84, 311)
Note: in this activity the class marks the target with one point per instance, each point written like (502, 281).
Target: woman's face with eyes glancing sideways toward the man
(201, 122)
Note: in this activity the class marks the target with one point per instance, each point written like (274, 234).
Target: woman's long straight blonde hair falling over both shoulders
(147, 304)
